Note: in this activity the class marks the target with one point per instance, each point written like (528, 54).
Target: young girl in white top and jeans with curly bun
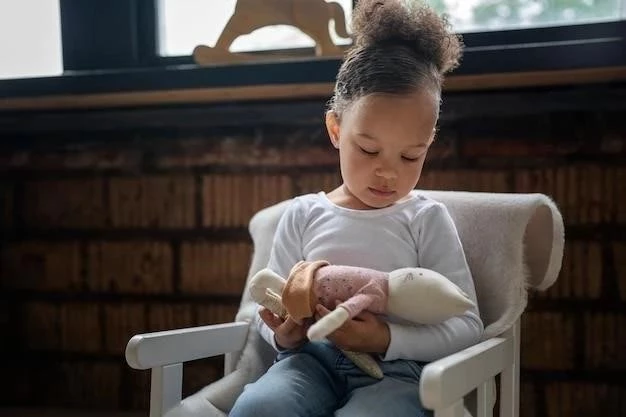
(382, 120)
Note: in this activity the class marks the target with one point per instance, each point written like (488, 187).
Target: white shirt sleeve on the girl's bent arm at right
(439, 249)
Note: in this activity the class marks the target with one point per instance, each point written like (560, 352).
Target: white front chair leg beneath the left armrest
(165, 388)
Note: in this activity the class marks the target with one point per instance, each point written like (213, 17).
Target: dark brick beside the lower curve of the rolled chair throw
(581, 272)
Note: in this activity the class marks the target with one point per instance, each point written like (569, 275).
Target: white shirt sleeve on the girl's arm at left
(286, 252)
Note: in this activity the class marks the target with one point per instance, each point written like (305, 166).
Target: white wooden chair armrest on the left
(149, 350)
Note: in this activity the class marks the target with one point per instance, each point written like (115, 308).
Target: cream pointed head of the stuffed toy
(424, 296)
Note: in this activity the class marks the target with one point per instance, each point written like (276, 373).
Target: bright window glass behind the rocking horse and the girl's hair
(183, 24)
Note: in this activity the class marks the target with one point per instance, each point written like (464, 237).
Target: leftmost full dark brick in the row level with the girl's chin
(73, 203)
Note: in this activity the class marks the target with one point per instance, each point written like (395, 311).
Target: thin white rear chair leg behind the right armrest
(509, 379)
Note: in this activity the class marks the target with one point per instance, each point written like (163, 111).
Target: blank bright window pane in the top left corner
(30, 39)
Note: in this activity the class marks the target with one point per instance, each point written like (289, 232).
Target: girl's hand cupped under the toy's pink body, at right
(364, 333)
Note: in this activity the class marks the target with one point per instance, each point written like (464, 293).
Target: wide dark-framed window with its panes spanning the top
(144, 45)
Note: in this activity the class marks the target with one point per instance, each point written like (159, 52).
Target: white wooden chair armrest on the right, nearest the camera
(449, 379)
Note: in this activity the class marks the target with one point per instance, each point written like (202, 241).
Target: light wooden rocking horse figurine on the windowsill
(310, 16)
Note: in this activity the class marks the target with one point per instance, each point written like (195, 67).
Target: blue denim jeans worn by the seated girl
(317, 380)
